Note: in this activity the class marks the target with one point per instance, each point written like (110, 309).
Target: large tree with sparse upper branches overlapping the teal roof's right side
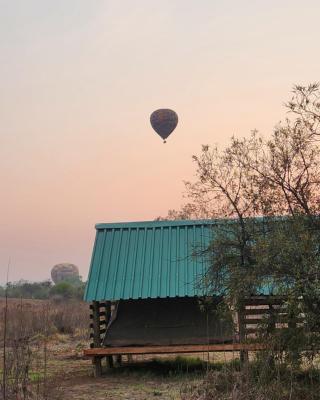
(269, 190)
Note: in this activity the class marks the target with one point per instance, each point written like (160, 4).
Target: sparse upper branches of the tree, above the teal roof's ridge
(258, 177)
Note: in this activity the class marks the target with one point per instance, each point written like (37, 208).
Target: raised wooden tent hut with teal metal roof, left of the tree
(148, 294)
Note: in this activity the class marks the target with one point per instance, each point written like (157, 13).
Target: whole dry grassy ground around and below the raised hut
(45, 361)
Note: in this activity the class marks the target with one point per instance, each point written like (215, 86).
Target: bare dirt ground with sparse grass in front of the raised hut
(145, 378)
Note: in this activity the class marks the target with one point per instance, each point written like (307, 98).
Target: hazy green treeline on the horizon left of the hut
(69, 289)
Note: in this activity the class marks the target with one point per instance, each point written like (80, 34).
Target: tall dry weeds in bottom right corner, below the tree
(257, 381)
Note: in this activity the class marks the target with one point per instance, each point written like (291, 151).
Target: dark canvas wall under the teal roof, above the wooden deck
(168, 321)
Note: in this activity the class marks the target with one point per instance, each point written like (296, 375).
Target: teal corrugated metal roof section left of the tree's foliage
(147, 260)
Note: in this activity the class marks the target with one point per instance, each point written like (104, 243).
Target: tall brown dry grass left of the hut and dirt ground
(31, 328)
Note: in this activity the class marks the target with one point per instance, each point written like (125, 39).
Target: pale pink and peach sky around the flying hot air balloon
(78, 82)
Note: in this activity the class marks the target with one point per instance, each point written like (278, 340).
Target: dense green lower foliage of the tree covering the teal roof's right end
(279, 256)
